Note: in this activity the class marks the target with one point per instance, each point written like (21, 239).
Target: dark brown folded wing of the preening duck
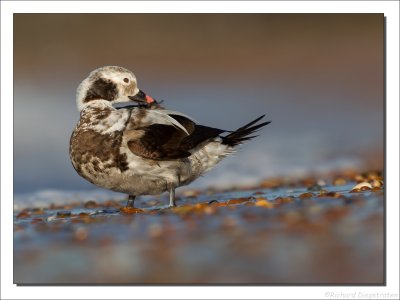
(165, 142)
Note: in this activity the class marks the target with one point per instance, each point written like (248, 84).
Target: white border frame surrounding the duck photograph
(391, 11)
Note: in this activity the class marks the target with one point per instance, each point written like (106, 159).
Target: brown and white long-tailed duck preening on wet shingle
(138, 150)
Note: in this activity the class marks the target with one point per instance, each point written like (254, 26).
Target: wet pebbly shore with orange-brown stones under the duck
(311, 230)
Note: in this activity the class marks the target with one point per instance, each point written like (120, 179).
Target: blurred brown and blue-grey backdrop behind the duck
(318, 77)
